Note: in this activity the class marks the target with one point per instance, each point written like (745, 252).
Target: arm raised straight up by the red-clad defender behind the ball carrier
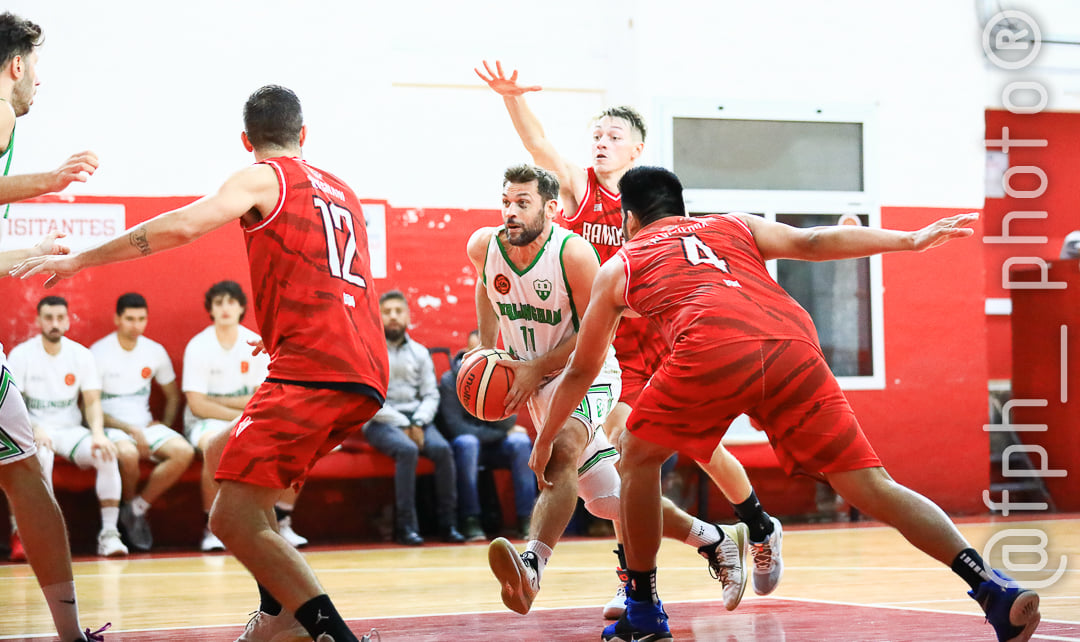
(572, 178)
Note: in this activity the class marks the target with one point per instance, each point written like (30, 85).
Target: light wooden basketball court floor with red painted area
(845, 583)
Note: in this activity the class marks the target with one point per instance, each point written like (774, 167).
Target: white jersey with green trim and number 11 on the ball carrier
(534, 305)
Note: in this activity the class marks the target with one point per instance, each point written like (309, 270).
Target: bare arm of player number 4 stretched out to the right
(777, 240)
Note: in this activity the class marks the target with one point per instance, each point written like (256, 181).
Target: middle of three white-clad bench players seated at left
(128, 362)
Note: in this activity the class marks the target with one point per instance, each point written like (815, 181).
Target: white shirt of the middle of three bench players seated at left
(127, 374)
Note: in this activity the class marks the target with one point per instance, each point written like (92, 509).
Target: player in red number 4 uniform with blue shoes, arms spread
(740, 344)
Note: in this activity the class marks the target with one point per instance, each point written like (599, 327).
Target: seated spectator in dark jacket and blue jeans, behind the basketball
(495, 445)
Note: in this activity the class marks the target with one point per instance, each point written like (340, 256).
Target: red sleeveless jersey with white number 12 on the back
(312, 276)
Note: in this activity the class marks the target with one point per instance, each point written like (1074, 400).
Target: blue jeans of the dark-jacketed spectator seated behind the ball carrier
(512, 453)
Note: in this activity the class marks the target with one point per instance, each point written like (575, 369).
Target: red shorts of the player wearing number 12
(286, 430)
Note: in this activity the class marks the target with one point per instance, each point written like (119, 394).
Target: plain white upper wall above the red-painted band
(395, 108)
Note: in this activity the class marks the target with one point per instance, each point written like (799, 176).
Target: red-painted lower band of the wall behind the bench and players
(930, 413)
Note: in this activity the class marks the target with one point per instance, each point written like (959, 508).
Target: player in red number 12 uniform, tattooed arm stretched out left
(319, 319)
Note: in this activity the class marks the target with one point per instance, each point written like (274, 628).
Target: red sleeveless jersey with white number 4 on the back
(705, 280)
